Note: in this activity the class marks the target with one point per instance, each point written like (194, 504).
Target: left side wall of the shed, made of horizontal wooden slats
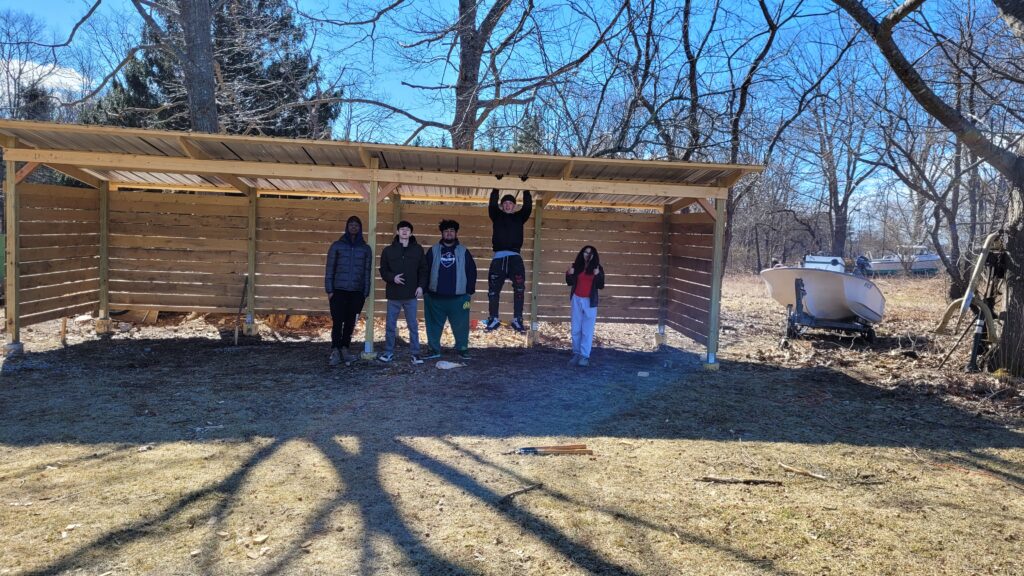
(60, 250)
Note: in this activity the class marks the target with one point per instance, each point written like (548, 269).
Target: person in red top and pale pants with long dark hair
(586, 278)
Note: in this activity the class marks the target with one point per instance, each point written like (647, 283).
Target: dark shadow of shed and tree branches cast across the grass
(131, 393)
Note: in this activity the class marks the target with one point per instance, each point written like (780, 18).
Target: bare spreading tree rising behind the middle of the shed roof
(490, 50)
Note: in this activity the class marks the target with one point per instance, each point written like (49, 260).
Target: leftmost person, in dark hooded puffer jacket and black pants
(348, 282)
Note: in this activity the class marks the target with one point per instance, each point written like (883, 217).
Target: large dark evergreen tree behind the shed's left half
(268, 81)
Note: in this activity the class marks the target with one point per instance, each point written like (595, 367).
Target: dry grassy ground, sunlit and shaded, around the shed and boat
(166, 450)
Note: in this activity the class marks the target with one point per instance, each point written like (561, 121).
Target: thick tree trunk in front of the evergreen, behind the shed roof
(201, 85)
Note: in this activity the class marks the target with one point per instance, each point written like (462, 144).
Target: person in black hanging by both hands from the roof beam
(506, 240)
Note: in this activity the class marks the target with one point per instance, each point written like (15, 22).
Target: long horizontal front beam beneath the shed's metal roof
(335, 174)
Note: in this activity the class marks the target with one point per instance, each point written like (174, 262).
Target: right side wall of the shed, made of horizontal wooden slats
(691, 253)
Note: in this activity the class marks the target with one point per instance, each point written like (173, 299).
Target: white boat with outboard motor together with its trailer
(819, 296)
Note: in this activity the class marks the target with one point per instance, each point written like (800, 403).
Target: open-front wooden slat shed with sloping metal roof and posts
(180, 222)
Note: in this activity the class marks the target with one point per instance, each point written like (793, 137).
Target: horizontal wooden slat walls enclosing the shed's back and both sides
(189, 253)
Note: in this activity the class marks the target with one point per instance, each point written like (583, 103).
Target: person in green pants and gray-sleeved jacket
(453, 281)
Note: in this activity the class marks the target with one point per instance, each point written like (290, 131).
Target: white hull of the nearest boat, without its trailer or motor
(833, 297)
